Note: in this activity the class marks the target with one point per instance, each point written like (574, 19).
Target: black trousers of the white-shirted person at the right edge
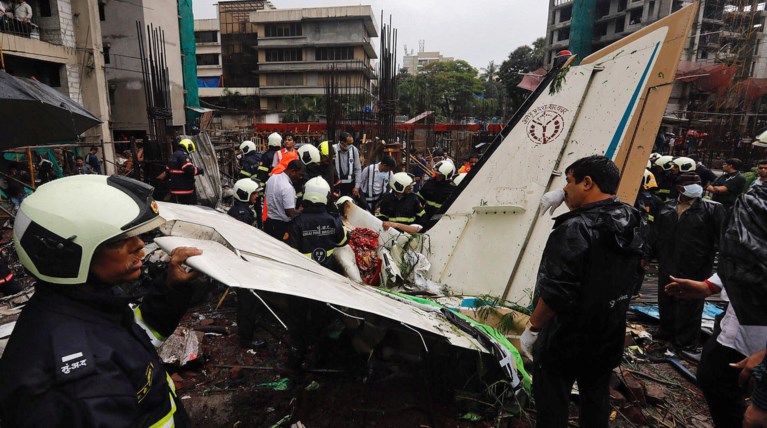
(719, 383)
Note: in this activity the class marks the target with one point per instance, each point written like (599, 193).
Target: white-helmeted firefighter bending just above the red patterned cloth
(400, 205)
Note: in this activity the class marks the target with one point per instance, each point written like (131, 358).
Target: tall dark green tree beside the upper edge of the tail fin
(523, 59)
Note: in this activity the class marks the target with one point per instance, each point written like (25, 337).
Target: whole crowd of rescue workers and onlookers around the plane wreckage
(592, 265)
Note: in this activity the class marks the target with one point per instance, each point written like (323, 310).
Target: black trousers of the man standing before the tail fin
(552, 398)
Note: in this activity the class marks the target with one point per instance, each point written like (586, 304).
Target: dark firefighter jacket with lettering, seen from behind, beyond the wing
(316, 233)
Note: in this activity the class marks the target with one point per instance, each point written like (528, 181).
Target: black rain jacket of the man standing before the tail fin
(588, 271)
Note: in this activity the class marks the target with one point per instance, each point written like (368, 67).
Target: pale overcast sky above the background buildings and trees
(477, 31)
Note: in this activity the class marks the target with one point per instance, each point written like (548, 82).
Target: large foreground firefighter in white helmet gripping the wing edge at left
(79, 355)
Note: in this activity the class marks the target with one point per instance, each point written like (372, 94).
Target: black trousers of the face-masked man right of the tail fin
(679, 318)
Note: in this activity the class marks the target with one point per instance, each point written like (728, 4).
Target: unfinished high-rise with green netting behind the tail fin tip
(716, 104)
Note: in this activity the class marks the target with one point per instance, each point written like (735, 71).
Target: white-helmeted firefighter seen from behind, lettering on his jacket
(315, 233)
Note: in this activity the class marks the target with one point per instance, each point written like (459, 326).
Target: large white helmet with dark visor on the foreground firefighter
(57, 229)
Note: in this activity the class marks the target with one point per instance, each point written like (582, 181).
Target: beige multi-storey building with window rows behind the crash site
(273, 55)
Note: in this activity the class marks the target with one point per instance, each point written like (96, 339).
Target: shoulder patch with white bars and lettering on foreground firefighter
(72, 355)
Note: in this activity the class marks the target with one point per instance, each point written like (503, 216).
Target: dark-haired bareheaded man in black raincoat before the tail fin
(588, 270)
